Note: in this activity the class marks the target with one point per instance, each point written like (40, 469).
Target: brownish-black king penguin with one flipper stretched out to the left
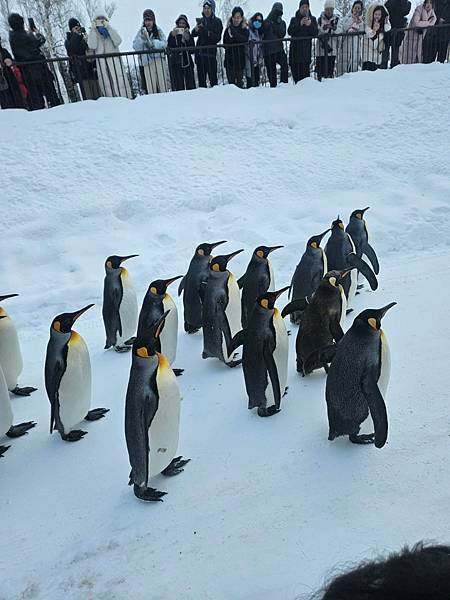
(322, 321)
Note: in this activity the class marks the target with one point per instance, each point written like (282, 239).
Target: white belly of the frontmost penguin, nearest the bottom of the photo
(164, 430)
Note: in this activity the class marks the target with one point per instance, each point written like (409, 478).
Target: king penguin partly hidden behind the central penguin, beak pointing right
(257, 280)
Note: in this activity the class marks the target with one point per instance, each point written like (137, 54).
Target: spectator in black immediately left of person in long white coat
(81, 68)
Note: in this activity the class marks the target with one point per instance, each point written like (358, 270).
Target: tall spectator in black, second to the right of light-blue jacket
(209, 32)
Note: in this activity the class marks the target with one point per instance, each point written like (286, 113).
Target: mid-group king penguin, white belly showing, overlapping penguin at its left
(221, 310)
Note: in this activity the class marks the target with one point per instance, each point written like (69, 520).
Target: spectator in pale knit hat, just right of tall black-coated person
(327, 43)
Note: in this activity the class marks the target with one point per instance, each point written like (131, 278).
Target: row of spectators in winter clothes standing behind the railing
(366, 38)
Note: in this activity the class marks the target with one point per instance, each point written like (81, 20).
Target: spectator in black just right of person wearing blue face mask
(274, 29)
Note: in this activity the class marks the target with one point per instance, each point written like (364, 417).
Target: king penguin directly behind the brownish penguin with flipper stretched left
(309, 272)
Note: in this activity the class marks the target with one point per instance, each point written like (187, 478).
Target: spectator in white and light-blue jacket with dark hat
(151, 37)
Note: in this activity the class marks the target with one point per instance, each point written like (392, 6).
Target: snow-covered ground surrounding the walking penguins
(267, 508)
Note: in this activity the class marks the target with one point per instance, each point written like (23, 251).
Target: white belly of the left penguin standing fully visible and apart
(75, 386)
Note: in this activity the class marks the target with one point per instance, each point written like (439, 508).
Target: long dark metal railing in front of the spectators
(130, 74)
